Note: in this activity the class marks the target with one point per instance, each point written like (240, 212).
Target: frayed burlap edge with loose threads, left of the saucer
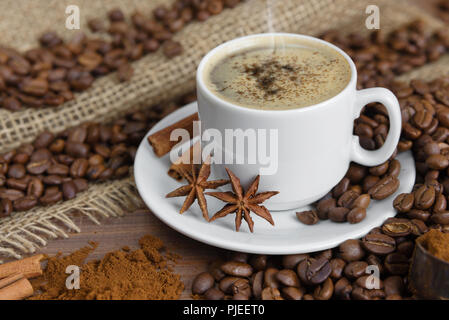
(24, 232)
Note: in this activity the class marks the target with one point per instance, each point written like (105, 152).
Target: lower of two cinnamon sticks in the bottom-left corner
(15, 287)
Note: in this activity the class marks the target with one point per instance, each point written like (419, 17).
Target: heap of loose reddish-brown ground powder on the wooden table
(121, 275)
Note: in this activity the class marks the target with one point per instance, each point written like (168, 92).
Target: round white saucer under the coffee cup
(288, 236)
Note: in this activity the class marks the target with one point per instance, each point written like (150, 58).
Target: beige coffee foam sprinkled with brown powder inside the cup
(280, 78)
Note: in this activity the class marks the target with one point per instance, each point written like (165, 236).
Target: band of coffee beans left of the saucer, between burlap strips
(56, 167)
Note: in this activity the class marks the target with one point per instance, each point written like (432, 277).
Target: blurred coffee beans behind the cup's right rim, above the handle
(380, 58)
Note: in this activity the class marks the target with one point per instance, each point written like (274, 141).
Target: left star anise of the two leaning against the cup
(195, 189)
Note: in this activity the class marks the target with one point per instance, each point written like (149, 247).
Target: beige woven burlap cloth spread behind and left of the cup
(155, 79)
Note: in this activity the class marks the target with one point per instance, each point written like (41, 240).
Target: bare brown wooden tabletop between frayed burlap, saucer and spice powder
(115, 233)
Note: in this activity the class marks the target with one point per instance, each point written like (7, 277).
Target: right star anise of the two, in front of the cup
(242, 204)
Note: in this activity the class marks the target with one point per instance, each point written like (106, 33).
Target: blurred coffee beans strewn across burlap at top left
(50, 74)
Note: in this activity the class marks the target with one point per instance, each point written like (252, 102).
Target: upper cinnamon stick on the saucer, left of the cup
(160, 140)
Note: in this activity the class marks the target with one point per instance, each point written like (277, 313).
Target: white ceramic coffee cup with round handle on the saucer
(315, 143)
